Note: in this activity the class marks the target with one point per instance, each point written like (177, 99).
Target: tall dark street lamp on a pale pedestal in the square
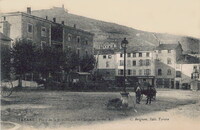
(124, 94)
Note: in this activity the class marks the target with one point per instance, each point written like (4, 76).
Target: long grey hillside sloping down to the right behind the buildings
(104, 31)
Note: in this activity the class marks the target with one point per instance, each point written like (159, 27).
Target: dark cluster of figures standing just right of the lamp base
(149, 92)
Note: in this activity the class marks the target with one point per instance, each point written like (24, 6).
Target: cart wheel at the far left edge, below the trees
(6, 88)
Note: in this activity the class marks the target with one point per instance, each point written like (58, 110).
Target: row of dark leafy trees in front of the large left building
(25, 57)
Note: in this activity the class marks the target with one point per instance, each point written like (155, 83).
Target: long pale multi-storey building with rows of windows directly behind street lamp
(139, 65)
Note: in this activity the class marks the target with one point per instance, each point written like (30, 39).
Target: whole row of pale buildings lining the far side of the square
(164, 66)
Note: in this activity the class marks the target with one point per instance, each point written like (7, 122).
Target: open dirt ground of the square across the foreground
(45, 110)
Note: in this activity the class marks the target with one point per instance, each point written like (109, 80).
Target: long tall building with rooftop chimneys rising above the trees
(42, 32)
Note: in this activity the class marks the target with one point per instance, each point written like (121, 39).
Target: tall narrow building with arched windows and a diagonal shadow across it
(166, 56)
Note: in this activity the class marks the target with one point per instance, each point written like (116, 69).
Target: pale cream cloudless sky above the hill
(181, 17)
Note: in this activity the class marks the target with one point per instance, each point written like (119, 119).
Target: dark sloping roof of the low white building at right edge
(188, 59)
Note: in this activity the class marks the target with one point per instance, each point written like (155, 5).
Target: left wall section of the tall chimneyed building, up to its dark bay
(19, 27)
